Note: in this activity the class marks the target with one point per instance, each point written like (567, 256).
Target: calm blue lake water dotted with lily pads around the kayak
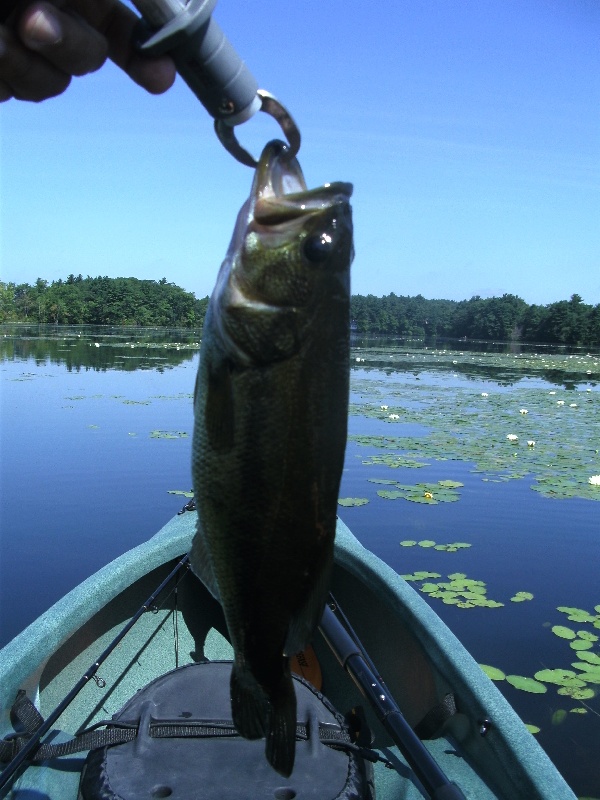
(96, 431)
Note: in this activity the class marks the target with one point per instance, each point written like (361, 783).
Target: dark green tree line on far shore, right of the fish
(506, 318)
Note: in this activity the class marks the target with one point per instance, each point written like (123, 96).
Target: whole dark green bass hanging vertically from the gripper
(270, 426)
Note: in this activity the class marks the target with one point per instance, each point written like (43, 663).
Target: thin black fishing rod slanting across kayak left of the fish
(34, 740)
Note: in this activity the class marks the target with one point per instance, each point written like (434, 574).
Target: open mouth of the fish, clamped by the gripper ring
(280, 193)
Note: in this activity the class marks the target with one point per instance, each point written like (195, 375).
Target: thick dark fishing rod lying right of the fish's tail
(347, 648)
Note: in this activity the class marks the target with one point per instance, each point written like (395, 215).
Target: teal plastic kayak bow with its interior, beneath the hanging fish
(112, 645)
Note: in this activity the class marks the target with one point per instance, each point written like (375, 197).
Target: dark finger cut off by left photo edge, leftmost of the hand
(26, 75)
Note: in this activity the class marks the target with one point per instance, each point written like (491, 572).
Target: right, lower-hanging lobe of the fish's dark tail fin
(281, 727)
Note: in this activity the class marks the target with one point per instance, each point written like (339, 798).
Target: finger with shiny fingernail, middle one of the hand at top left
(69, 43)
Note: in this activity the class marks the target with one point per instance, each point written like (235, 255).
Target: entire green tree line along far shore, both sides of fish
(130, 301)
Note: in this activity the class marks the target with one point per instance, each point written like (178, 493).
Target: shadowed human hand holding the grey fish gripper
(44, 44)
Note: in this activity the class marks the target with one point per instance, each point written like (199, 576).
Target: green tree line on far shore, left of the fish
(101, 301)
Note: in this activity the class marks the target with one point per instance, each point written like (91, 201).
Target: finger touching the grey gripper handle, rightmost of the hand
(117, 23)
